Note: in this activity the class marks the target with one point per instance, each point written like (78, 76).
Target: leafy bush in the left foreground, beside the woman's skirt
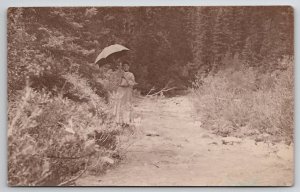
(52, 139)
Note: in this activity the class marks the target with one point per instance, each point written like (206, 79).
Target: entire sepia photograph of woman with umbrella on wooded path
(150, 96)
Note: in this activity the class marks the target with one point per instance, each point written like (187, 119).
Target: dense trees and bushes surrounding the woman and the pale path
(59, 104)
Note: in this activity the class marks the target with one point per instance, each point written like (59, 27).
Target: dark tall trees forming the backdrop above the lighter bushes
(169, 45)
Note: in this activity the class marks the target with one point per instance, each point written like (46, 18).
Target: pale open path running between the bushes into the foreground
(173, 150)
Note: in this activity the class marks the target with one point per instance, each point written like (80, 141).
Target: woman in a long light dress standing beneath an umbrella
(123, 105)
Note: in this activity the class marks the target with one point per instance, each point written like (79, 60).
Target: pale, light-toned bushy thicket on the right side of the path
(247, 102)
